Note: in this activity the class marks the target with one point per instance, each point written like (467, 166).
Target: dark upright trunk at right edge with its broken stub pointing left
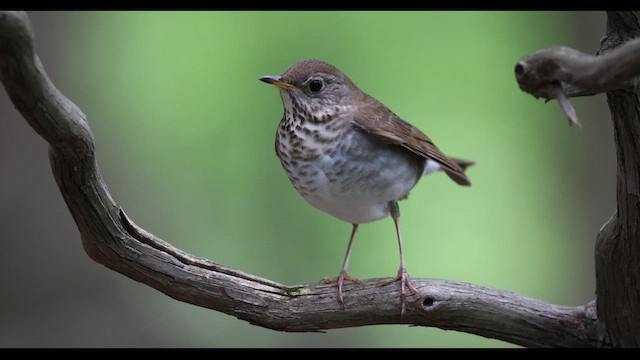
(615, 71)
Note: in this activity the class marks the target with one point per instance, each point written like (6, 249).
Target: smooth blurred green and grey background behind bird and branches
(185, 136)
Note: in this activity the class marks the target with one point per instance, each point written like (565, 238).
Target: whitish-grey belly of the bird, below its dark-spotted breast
(357, 185)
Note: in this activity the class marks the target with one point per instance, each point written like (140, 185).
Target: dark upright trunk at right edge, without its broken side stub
(618, 243)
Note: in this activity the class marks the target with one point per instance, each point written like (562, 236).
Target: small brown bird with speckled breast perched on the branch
(350, 156)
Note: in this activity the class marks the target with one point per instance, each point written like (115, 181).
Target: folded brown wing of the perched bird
(378, 120)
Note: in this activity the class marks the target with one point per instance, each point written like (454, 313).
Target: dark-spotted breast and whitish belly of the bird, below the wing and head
(344, 172)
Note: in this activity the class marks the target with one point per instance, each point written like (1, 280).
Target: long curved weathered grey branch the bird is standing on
(110, 238)
